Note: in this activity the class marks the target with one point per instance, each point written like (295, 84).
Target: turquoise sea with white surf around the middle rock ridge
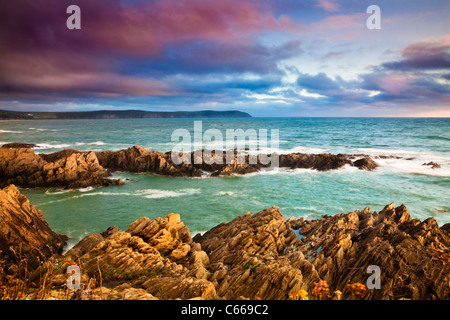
(206, 202)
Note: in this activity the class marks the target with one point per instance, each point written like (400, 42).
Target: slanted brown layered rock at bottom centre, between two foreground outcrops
(255, 256)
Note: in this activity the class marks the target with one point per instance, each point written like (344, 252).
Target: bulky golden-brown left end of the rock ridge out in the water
(68, 168)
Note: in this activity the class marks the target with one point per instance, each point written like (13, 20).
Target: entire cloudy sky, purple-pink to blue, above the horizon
(270, 58)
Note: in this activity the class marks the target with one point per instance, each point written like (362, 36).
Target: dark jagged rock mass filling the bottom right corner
(343, 246)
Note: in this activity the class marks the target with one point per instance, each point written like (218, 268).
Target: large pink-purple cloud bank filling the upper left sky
(39, 54)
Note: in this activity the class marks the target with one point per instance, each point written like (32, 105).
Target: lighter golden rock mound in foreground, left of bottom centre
(158, 256)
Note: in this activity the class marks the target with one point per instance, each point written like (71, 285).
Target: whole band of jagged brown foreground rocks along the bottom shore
(257, 256)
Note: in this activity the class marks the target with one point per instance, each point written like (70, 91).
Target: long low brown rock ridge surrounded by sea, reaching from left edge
(71, 168)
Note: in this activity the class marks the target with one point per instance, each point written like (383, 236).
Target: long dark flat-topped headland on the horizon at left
(120, 114)
